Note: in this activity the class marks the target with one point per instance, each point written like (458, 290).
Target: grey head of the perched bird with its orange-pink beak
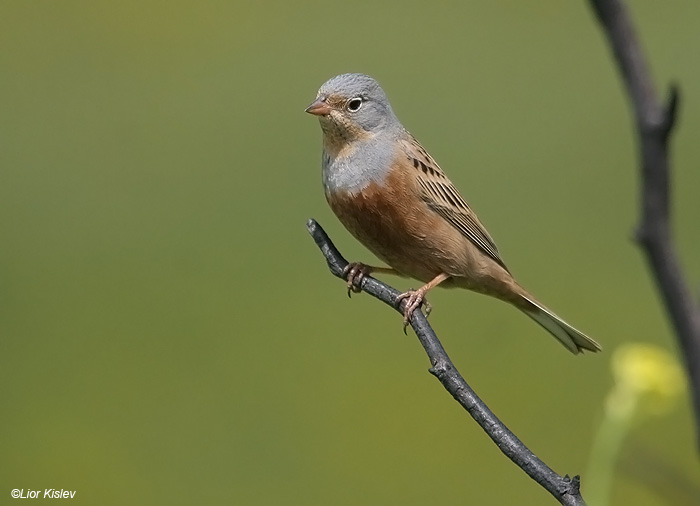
(353, 107)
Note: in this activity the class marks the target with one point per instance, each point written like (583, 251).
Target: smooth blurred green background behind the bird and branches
(170, 333)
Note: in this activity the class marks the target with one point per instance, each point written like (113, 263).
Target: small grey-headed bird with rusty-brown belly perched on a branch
(393, 197)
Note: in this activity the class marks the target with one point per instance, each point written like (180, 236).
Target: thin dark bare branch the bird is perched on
(563, 488)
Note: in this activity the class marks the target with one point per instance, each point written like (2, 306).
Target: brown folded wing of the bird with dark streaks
(442, 196)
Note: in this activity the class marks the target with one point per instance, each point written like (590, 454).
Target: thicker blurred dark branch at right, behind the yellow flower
(654, 123)
